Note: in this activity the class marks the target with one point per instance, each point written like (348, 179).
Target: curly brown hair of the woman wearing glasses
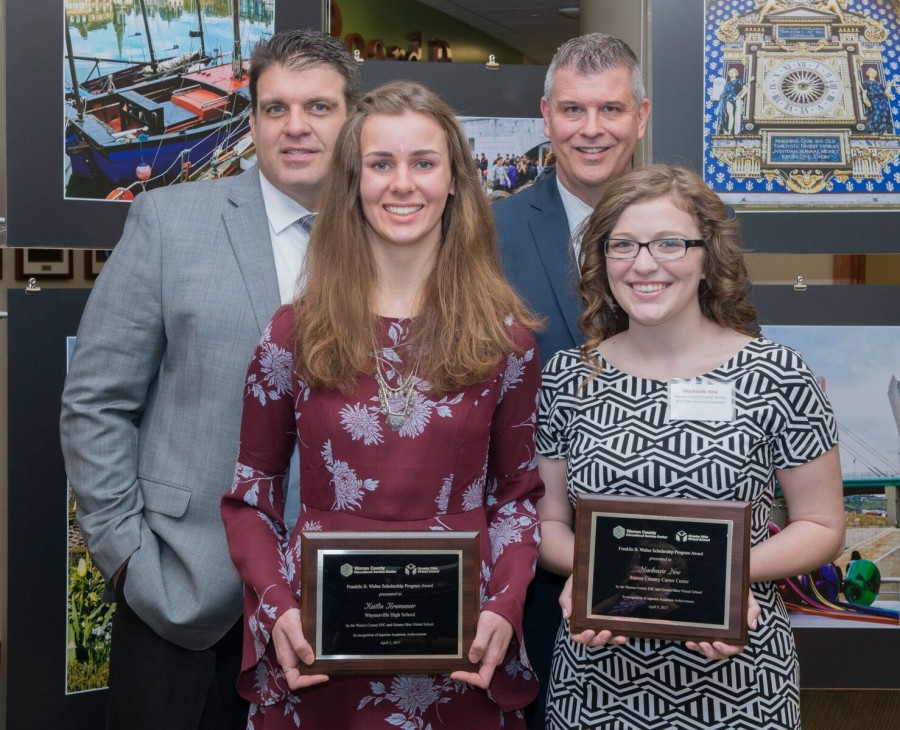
(724, 291)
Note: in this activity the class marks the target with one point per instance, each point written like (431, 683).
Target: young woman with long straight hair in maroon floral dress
(408, 373)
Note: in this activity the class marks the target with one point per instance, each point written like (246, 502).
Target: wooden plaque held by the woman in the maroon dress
(388, 602)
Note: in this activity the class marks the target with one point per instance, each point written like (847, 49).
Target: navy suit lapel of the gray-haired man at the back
(550, 231)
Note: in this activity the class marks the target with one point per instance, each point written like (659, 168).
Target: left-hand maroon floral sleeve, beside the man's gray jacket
(253, 509)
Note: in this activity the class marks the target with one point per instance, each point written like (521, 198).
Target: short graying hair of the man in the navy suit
(596, 53)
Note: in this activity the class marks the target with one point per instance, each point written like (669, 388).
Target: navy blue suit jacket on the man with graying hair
(533, 232)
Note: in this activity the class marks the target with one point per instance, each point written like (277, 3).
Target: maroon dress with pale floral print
(464, 461)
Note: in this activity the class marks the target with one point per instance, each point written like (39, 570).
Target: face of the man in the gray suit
(298, 116)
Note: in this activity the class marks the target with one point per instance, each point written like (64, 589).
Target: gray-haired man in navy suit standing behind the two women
(595, 110)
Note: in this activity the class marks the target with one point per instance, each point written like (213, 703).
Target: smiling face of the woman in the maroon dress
(405, 180)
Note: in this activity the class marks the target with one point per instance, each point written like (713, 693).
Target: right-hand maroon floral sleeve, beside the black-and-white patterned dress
(513, 485)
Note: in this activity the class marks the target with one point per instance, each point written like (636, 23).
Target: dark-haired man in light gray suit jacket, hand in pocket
(152, 402)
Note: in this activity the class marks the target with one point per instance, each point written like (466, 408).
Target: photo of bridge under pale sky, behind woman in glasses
(857, 367)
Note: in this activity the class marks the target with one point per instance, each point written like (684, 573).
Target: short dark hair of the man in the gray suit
(297, 49)
